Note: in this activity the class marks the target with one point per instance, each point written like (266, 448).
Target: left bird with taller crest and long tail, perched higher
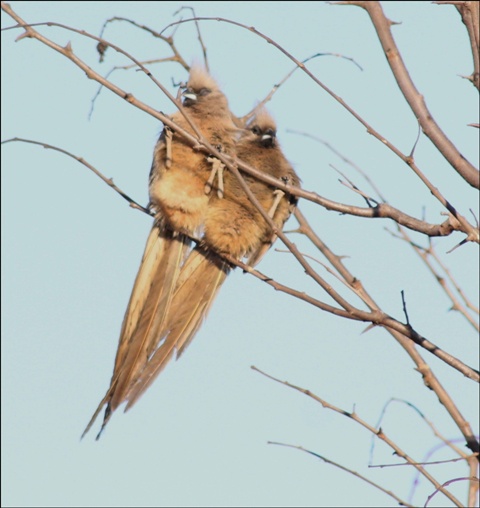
(177, 184)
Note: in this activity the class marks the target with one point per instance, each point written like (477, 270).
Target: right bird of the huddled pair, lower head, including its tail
(233, 226)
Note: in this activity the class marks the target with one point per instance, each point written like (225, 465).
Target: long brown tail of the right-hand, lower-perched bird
(199, 282)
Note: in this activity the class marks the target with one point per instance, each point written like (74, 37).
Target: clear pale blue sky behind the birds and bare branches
(71, 249)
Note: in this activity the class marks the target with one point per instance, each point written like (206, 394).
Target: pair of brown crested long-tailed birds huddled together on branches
(191, 195)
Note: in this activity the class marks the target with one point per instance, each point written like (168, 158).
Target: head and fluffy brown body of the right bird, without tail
(234, 225)
